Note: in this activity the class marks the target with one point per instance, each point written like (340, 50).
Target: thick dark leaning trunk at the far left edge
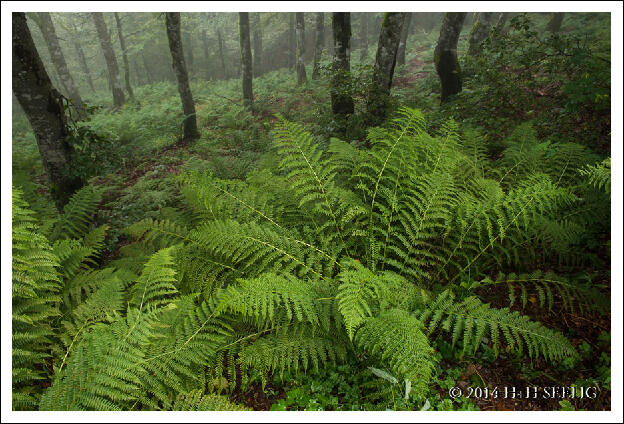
(43, 105)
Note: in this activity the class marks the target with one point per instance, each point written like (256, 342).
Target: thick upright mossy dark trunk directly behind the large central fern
(340, 84)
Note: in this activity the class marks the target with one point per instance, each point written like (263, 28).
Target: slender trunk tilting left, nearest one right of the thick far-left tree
(179, 67)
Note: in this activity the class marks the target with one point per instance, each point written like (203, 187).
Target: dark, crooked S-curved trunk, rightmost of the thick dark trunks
(445, 54)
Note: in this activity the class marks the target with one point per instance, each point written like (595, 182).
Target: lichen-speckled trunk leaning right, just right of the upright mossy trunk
(379, 95)
